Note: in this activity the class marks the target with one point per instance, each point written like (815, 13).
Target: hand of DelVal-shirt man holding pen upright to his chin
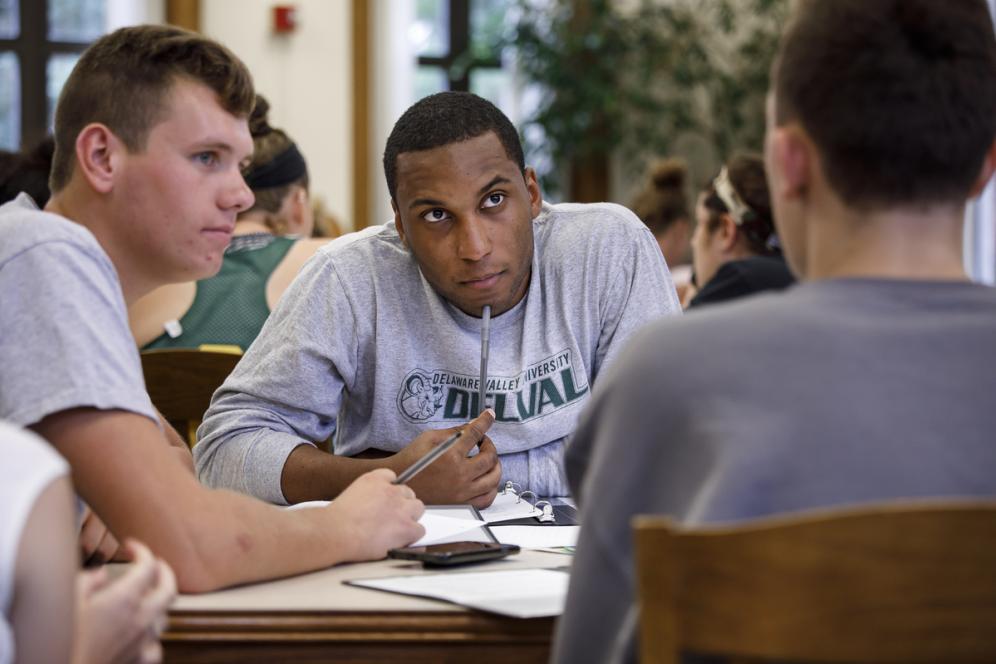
(455, 478)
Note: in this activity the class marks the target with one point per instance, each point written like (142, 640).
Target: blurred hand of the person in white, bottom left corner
(120, 620)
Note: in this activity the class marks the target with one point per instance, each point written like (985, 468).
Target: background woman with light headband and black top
(735, 249)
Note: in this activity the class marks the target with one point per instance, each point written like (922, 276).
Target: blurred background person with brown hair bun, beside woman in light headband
(663, 207)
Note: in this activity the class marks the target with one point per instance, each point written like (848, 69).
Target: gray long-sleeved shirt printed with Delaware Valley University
(362, 345)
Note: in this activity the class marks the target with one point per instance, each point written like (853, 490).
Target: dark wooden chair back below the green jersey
(181, 382)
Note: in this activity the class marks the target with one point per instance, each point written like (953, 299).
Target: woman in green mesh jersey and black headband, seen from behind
(271, 241)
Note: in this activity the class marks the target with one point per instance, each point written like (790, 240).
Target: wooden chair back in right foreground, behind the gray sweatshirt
(912, 583)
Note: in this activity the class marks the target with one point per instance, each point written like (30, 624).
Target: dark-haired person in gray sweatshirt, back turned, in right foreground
(872, 380)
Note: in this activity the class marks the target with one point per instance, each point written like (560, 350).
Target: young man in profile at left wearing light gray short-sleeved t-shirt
(151, 131)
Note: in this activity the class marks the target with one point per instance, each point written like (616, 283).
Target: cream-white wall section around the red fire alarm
(307, 78)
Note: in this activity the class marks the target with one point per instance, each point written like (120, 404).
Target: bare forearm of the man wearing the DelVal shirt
(311, 474)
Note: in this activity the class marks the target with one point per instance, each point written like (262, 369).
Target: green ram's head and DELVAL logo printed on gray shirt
(541, 389)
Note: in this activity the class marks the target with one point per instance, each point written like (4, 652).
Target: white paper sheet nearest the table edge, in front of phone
(520, 593)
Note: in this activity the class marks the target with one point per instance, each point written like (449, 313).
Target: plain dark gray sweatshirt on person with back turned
(842, 391)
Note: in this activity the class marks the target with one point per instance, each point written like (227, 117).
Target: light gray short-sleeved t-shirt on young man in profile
(64, 336)
